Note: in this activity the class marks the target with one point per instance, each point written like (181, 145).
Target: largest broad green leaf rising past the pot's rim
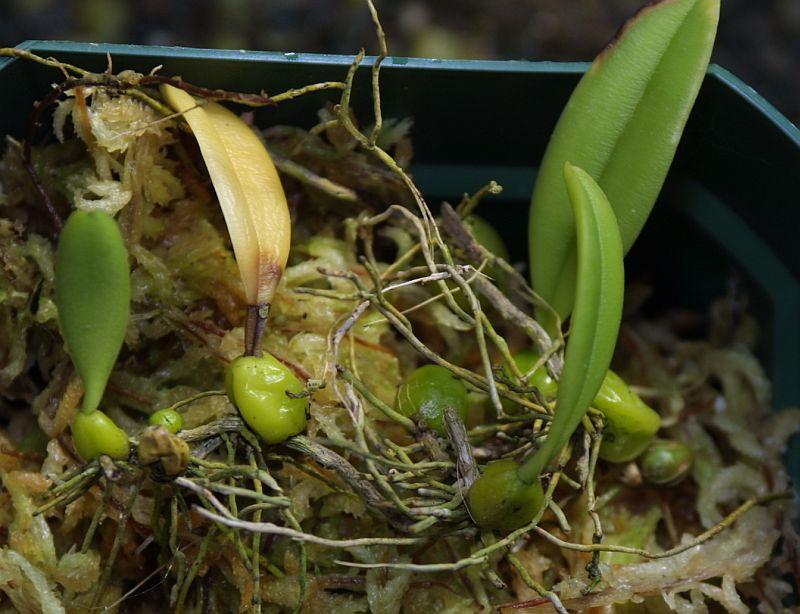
(622, 125)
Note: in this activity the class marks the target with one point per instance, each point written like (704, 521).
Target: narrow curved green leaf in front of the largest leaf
(595, 322)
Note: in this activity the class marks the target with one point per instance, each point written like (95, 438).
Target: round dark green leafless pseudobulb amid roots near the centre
(425, 394)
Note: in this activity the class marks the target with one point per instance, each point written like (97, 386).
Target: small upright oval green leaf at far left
(92, 292)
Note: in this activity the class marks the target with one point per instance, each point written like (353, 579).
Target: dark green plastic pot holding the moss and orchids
(731, 203)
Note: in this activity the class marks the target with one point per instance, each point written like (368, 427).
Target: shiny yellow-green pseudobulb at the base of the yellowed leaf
(257, 385)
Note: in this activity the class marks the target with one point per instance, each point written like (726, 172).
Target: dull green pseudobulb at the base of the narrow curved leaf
(500, 500)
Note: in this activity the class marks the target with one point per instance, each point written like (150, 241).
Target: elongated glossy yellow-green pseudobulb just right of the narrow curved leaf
(630, 423)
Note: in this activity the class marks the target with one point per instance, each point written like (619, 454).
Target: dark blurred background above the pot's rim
(759, 40)
